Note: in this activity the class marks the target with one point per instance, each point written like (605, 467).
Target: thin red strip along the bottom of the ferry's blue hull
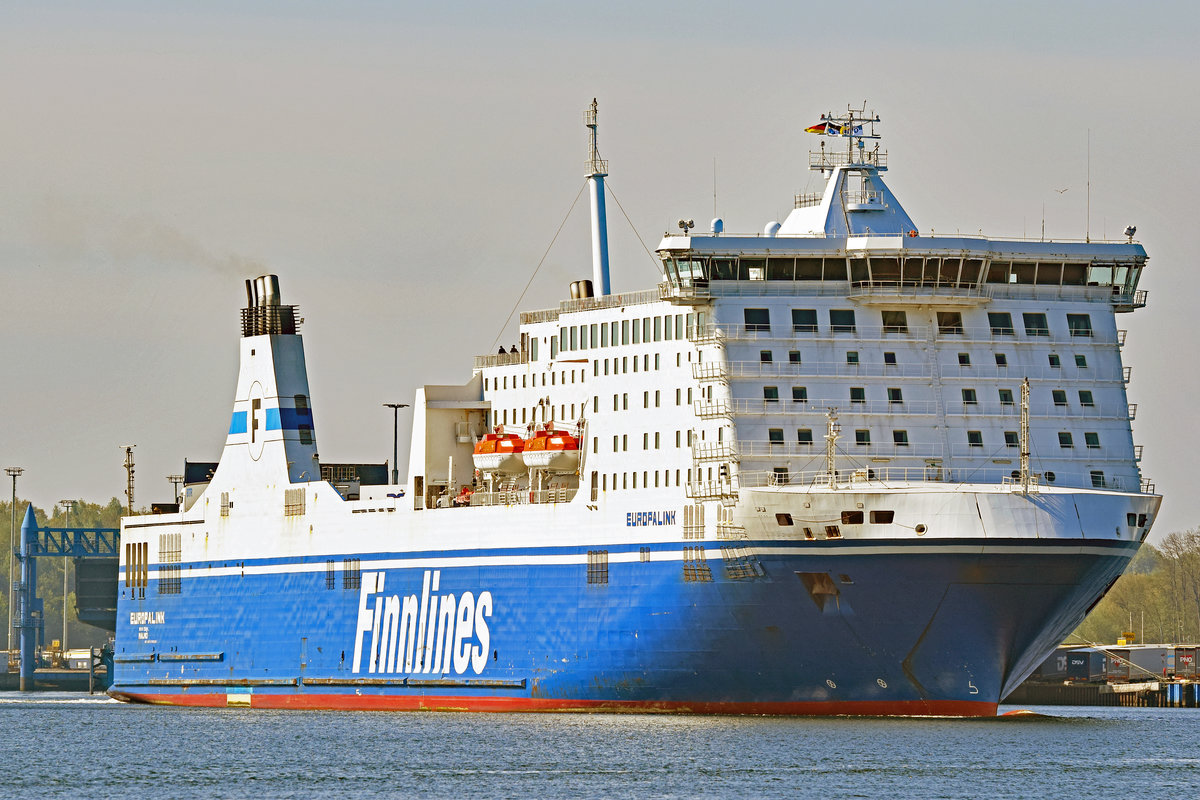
(501, 705)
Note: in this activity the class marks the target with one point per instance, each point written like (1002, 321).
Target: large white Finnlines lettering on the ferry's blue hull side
(428, 634)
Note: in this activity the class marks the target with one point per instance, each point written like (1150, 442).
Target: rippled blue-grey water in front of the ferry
(67, 745)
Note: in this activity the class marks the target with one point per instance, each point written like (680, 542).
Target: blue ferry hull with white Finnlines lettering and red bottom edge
(941, 628)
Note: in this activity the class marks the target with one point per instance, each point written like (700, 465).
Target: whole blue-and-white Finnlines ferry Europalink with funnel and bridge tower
(843, 466)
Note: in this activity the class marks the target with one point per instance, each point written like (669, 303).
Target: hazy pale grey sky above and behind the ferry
(403, 167)
